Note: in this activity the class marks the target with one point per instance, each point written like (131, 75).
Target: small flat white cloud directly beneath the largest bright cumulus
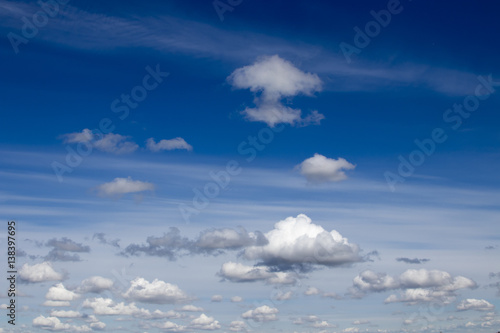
(237, 272)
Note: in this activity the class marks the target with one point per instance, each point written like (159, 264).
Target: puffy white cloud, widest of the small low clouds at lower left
(158, 292)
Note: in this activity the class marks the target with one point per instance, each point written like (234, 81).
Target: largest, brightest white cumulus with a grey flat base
(296, 240)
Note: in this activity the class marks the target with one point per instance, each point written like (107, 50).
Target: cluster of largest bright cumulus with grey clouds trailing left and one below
(293, 243)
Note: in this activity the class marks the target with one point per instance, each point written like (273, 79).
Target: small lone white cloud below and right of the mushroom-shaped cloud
(320, 169)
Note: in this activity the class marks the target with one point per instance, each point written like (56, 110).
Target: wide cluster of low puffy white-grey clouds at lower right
(417, 285)
